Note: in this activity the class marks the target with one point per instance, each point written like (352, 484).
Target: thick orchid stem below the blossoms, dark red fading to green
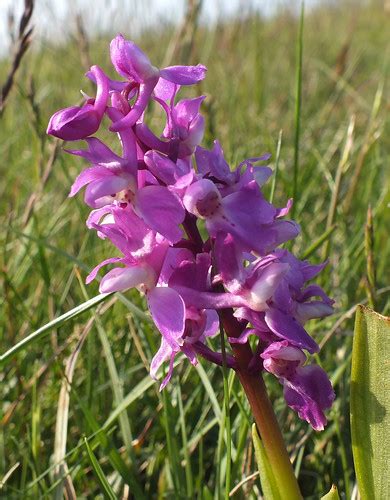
(263, 413)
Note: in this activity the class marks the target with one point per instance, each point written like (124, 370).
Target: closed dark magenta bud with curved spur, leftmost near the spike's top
(74, 123)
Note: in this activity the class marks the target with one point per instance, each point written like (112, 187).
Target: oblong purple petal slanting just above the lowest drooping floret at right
(288, 328)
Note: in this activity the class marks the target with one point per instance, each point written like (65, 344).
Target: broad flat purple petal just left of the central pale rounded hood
(161, 210)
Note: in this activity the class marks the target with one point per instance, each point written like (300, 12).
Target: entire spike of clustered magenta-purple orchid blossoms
(198, 239)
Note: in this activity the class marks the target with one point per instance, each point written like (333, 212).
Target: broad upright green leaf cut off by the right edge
(370, 403)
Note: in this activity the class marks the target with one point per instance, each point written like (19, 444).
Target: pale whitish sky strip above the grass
(129, 16)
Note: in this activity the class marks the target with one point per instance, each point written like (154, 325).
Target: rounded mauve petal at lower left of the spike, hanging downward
(168, 312)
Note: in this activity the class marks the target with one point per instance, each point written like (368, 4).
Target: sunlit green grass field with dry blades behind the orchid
(173, 444)
